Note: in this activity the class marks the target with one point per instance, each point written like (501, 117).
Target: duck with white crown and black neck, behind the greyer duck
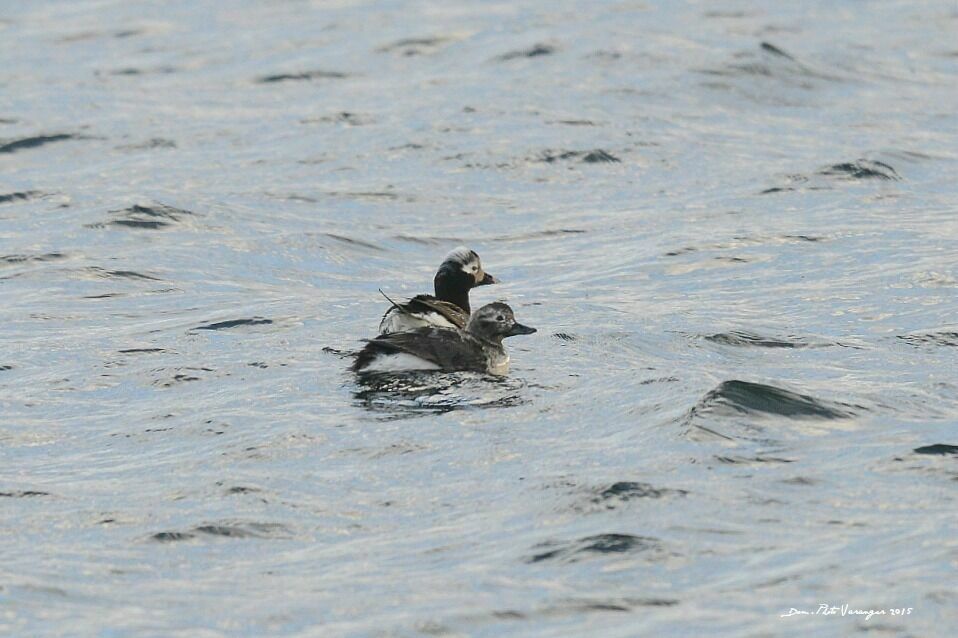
(460, 271)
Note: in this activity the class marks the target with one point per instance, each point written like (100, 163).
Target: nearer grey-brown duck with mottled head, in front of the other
(477, 348)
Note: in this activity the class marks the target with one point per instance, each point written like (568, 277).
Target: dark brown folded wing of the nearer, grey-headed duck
(448, 349)
